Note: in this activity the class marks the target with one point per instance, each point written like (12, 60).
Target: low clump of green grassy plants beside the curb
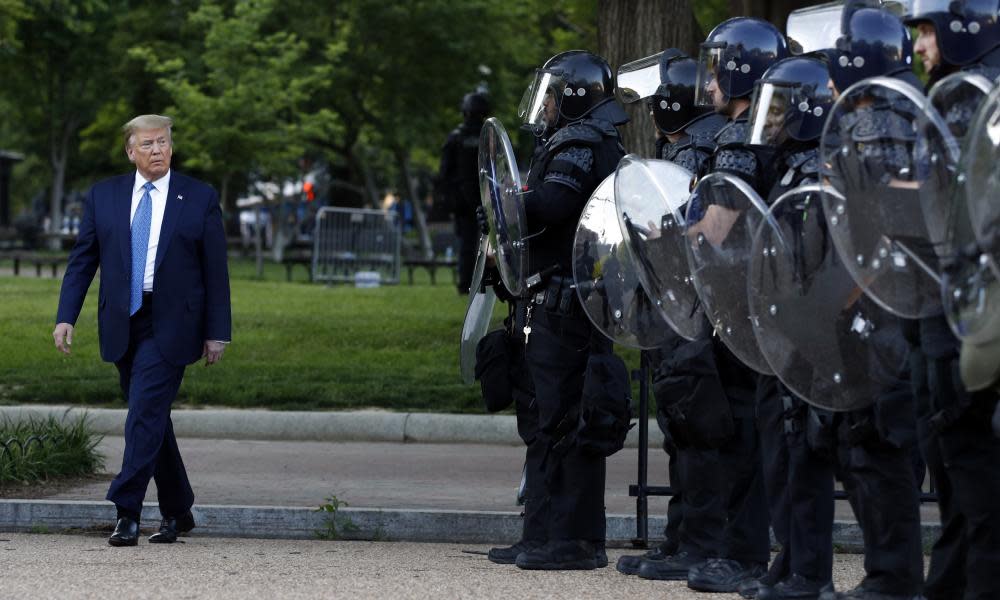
(36, 450)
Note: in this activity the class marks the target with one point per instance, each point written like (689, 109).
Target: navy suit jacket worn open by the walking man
(190, 277)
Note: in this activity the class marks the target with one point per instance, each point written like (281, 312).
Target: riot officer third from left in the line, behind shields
(729, 499)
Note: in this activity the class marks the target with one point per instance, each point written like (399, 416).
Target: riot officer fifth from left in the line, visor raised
(874, 446)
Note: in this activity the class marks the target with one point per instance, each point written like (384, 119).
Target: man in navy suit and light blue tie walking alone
(158, 239)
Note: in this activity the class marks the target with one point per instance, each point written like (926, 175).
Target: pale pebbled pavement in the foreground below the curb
(58, 566)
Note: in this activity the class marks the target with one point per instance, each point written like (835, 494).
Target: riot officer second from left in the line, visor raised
(685, 136)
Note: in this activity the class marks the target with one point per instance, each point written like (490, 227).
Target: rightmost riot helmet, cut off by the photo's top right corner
(966, 29)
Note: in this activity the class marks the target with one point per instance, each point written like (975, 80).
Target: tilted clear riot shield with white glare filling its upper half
(650, 197)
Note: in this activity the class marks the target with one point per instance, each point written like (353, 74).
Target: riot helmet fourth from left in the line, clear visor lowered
(790, 102)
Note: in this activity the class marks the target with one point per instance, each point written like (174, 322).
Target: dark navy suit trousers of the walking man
(150, 385)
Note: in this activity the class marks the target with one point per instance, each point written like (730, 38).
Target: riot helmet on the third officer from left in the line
(735, 55)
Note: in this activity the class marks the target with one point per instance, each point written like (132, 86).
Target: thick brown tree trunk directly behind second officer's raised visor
(628, 30)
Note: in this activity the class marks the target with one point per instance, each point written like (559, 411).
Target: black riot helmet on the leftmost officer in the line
(567, 88)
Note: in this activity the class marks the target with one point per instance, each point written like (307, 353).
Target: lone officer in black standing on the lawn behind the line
(459, 174)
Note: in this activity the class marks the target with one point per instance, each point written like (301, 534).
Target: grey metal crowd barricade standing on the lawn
(348, 241)
